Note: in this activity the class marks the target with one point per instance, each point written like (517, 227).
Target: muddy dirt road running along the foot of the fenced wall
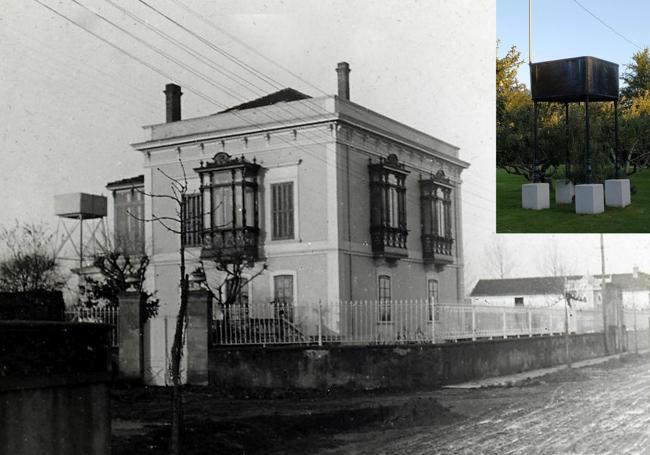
(596, 410)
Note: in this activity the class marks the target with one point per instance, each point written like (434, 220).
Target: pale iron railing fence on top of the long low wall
(402, 321)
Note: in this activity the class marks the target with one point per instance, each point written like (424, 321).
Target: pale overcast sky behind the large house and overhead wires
(72, 104)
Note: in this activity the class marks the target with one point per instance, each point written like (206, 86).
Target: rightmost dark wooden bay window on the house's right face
(437, 235)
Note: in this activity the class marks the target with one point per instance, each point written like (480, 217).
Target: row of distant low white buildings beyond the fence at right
(549, 291)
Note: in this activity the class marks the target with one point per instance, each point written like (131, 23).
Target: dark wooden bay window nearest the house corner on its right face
(388, 208)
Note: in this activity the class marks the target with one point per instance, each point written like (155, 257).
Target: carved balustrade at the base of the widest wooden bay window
(231, 244)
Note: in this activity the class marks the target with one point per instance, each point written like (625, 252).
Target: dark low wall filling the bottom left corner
(54, 380)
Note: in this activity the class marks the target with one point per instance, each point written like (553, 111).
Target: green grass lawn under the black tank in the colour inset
(635, 218)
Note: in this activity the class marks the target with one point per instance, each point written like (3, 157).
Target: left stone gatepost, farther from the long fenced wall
(130, 337)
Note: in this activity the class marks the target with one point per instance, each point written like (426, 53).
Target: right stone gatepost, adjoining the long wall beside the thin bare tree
(197, 337)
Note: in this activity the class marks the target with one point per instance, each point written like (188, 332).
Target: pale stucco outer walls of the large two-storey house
(323, 146)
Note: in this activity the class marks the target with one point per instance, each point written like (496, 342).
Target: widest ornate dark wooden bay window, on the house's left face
(229, 192)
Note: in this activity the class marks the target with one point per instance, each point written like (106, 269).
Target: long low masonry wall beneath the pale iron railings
(396, 366)
